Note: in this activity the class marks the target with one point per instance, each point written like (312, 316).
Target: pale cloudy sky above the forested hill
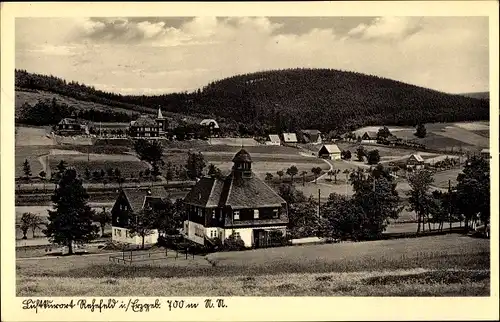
(155, 55)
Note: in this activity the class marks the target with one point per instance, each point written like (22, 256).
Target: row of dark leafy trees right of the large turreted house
(366, 214)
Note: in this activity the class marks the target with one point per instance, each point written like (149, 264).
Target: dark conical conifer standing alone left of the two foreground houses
(72, 220)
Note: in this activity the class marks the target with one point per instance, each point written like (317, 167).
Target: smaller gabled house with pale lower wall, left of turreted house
(131, 201)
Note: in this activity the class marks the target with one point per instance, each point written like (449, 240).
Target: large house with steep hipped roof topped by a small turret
(240, 204)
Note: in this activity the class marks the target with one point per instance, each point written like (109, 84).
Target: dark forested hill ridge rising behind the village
(298, 98)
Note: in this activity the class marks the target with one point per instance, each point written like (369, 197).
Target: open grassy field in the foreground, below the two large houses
(433, 266)
